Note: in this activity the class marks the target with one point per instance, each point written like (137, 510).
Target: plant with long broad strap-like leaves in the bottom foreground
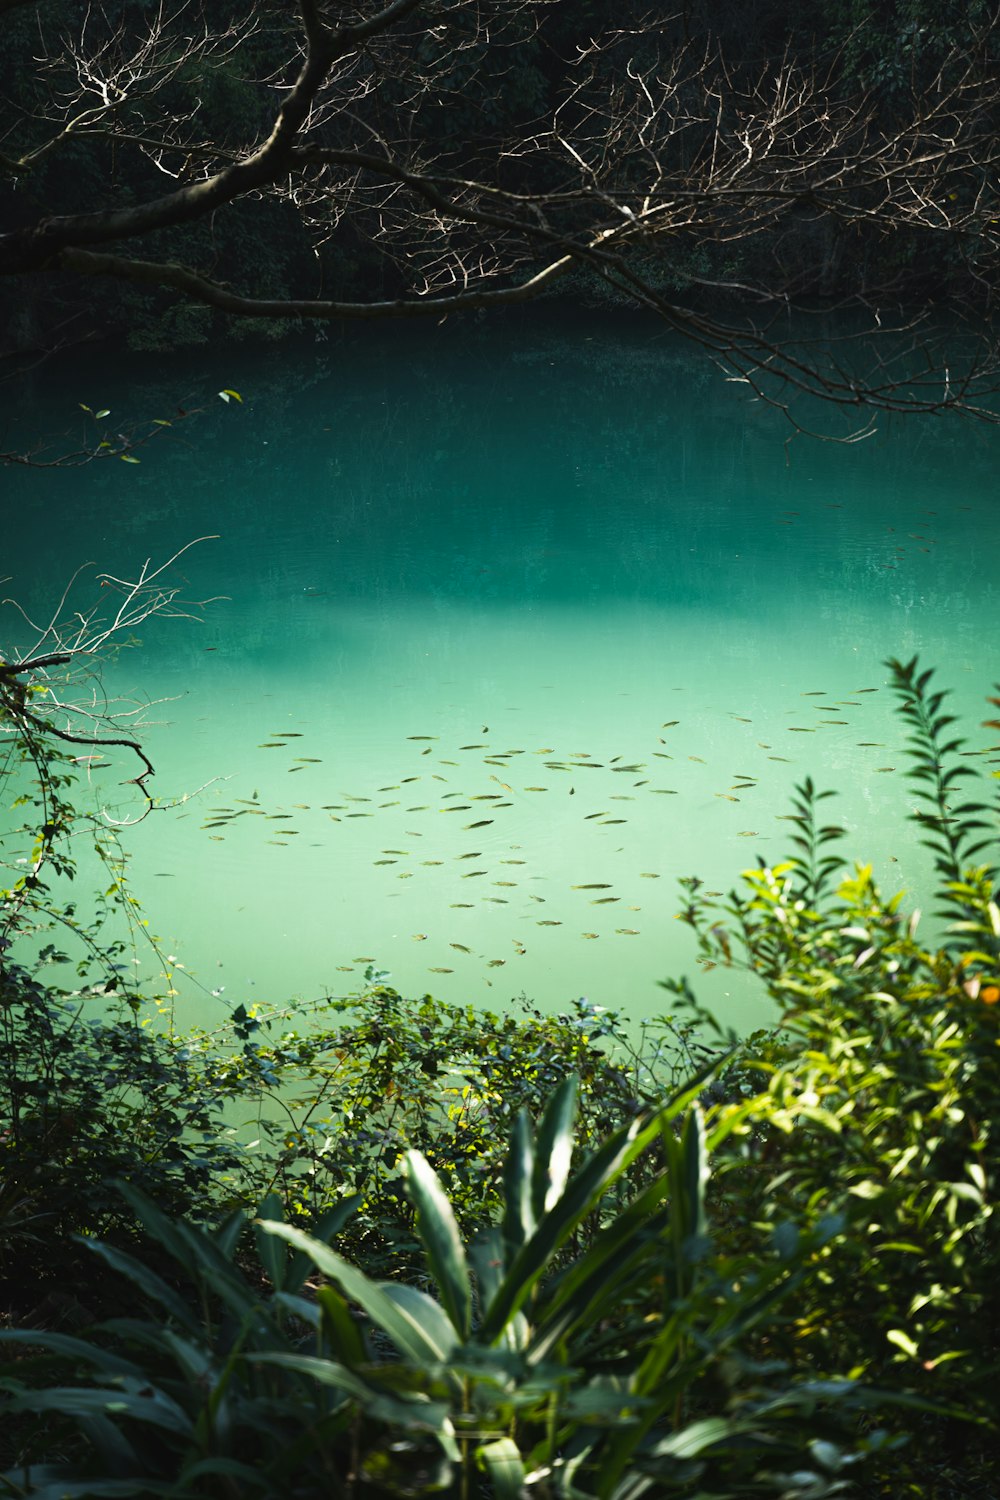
(617, 1376)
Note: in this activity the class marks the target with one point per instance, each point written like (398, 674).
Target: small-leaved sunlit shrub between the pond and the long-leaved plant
(359, 1082)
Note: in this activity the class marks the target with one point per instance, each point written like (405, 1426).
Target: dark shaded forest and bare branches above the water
(166, 166)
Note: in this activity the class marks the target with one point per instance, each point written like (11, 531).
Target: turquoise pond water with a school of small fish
(521, 625)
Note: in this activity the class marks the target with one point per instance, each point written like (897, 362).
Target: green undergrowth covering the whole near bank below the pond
(451, 1253)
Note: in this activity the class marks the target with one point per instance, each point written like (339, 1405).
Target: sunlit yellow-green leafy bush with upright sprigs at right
(881, 1091)
